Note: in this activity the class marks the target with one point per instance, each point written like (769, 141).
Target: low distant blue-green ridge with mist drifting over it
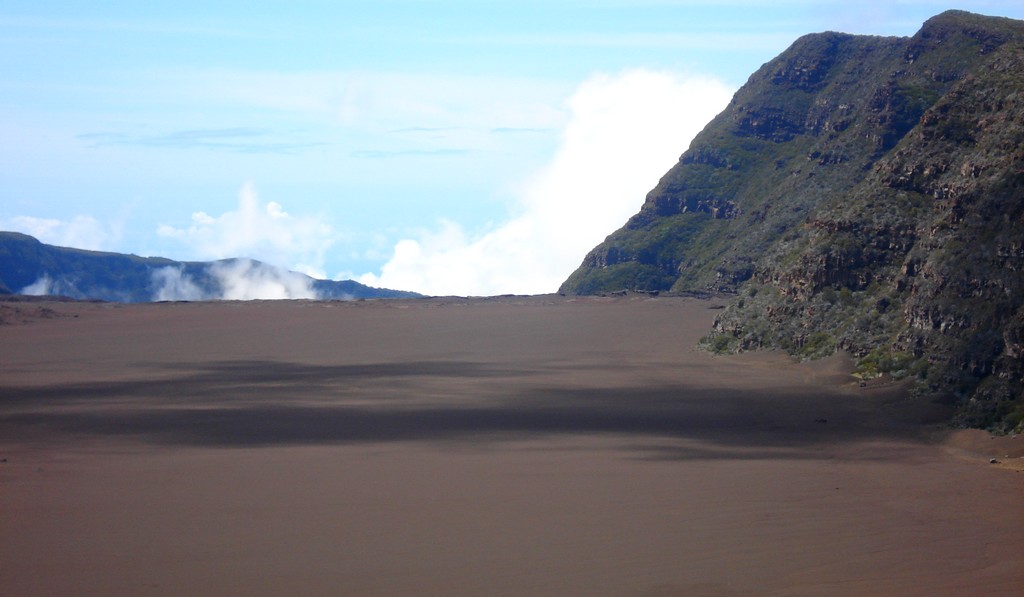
(32, 268)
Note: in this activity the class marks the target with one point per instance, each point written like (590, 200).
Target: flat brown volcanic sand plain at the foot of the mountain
(538, 446)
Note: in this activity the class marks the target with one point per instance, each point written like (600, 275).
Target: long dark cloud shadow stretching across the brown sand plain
(259, 404)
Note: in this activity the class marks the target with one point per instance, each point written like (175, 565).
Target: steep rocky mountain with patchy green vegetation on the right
(860, 194)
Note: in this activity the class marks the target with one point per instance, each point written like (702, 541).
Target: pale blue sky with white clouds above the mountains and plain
(449, 148)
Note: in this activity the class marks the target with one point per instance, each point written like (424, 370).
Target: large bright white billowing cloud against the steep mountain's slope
(625, 133)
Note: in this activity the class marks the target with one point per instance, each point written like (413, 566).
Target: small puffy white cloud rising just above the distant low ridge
(258, 231)
